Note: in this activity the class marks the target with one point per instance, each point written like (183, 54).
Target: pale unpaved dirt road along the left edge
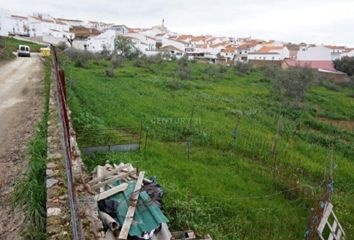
(21, 104)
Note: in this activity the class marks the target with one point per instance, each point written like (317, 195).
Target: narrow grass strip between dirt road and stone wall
(30, 192)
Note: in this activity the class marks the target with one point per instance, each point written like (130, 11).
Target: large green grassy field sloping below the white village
(209, 142)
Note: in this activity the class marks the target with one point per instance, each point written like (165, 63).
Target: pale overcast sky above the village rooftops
(311, 21)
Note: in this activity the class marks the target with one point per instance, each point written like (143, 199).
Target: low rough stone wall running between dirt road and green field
(58, 210)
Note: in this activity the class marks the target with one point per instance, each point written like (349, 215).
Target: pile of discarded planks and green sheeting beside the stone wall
(130, 206)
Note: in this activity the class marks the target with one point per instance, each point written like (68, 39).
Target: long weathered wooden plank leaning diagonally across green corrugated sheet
(132, 206)
